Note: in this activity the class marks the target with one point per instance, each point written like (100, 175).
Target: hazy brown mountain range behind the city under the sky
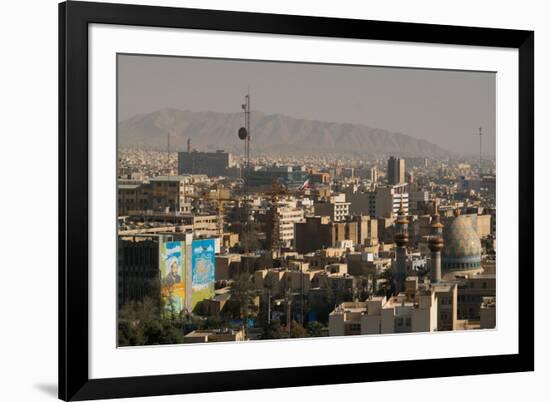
(270, 133)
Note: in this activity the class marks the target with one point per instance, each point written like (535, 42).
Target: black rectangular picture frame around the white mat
(74, 18)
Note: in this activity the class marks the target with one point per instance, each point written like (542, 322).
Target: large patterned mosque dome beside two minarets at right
(462, 248)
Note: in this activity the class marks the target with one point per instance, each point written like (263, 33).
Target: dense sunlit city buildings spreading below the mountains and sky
(219, 246)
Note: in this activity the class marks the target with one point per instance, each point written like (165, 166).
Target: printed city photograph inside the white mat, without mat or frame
(273, 200)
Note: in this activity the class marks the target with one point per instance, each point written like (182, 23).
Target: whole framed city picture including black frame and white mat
(259, 201)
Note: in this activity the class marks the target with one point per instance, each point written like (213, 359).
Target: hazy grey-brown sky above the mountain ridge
(444, 107)
